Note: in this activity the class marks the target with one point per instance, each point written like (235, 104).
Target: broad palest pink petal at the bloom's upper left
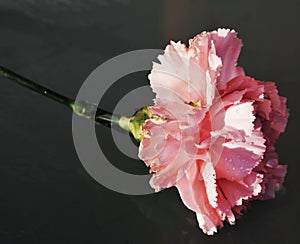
(172, 75)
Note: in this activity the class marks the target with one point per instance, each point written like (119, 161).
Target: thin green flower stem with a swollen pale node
(81, 108)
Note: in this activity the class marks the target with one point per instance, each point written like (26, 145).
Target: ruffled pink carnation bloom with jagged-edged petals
(212, 129)
